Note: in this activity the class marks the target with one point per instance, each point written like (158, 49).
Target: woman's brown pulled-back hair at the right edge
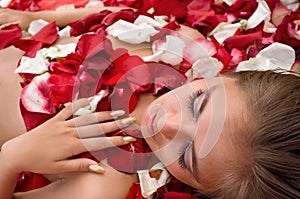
(270, 167)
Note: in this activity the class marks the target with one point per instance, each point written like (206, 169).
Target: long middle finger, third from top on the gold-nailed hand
(103, 128)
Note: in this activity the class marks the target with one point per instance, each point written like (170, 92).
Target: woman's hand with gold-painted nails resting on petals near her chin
(47, 148)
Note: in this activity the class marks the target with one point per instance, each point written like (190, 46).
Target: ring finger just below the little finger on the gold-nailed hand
(94, 118)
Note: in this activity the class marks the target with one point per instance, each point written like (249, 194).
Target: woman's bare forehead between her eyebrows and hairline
(217, 124)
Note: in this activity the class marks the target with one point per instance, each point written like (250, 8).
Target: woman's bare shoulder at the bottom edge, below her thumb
(112, 184)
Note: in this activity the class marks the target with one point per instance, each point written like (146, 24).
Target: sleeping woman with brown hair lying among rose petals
(232, 136)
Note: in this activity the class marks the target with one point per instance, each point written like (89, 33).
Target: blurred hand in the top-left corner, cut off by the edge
(9, 16)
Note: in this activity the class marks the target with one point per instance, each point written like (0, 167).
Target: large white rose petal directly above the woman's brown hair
(275, 56)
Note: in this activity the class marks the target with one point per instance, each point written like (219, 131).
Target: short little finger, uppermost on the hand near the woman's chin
(68, 111)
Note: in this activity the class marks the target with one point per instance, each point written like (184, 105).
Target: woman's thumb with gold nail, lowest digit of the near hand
(80, 164)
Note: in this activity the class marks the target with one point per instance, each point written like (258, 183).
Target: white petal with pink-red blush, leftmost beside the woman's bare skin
(35, 95)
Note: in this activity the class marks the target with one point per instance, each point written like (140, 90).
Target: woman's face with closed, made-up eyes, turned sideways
(188, 129)
